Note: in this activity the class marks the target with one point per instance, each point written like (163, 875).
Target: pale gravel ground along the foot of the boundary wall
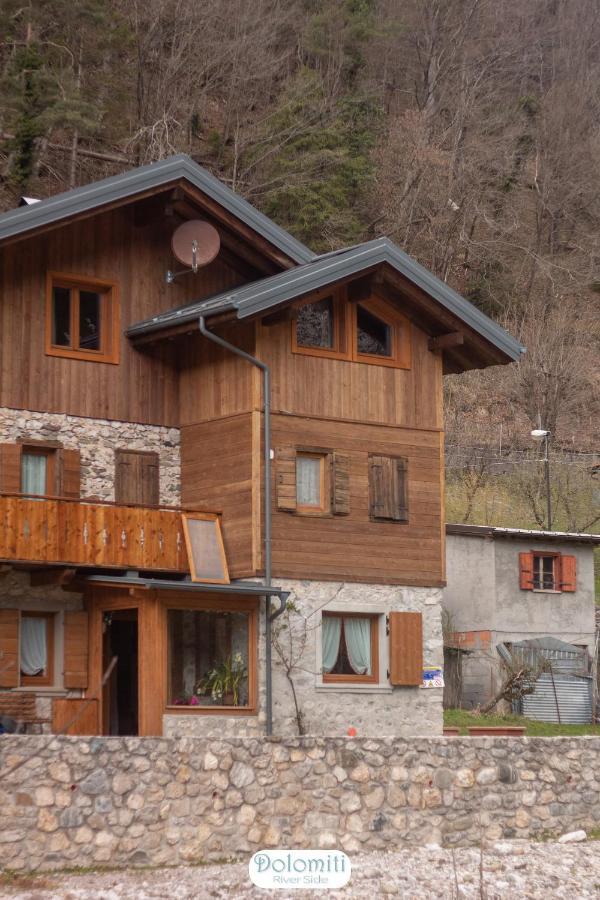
(516, 869)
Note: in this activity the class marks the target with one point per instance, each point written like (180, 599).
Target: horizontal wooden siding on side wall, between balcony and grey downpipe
(218, 466)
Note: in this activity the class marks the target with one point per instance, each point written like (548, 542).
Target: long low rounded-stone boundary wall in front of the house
(155, 801)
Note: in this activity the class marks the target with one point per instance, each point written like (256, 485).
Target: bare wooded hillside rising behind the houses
(468, 131)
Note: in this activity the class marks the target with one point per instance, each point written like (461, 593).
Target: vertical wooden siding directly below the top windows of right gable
(339, 389)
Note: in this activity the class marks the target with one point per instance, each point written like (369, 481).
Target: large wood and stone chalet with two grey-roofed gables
(133, 435)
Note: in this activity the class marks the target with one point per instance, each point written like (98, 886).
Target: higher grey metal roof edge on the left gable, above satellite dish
(120, 187)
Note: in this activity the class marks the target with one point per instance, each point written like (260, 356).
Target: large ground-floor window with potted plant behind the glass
(211, 659)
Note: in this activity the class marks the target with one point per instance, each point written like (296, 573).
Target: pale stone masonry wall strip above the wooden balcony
(97, 440)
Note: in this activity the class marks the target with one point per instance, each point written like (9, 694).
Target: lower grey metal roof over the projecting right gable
(260, 296)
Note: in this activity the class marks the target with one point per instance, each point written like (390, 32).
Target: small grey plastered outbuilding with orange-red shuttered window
(506, 586)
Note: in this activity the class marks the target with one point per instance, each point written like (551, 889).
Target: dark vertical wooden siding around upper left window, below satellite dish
(121, 246)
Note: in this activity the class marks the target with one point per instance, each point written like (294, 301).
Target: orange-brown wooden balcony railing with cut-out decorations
(84, 533)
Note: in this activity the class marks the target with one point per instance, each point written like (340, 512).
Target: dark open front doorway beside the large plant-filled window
(120, 693)
